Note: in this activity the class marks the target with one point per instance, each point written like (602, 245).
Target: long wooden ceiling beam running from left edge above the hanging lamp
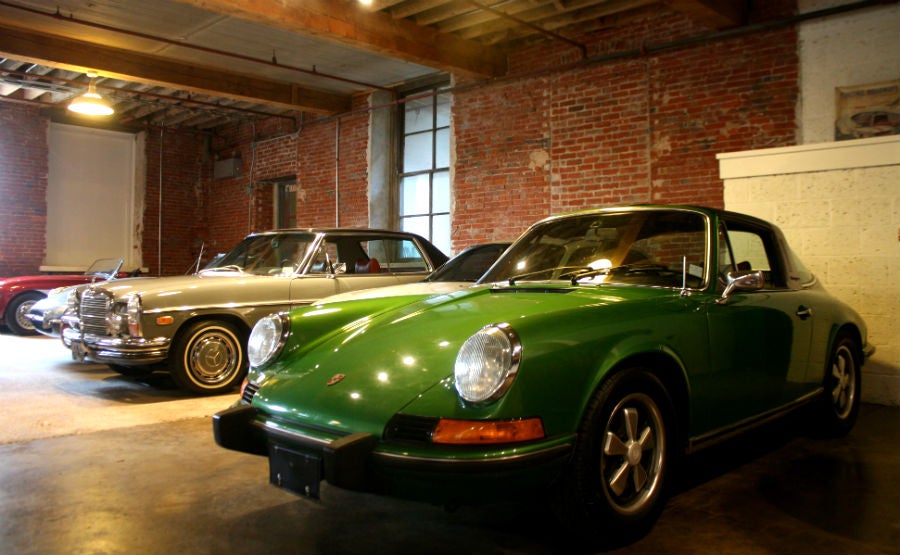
(75, 55)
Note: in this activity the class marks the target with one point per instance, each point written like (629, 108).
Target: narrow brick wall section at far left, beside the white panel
(23, 189)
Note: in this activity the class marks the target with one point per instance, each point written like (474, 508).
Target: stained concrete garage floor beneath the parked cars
(96, 463)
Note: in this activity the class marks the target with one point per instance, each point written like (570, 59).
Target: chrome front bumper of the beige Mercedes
(116, 350)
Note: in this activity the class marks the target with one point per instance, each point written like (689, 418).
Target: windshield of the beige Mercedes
(265, 255)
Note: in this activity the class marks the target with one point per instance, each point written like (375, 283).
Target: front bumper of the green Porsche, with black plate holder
(299, 461)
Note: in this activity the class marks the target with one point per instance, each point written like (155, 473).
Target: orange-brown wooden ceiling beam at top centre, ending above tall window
(351, 24)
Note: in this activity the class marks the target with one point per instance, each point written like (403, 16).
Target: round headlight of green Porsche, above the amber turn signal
(487, 363)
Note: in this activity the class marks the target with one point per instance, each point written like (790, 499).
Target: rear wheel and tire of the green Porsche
(843, 388)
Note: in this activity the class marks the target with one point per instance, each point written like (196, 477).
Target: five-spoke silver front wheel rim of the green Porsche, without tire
(633, 453)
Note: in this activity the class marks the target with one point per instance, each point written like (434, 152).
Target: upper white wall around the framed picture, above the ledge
(858, 48)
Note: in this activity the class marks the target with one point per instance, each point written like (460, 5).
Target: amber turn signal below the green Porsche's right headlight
(472, 432)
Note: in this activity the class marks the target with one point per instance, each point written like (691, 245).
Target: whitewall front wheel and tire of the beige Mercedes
(208, 357)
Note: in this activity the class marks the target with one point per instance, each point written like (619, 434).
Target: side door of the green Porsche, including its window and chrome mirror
(759, 340)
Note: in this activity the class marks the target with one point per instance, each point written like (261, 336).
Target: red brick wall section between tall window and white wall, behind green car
(642, 128)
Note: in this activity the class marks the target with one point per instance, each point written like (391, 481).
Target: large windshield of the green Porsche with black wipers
(641, 247)
